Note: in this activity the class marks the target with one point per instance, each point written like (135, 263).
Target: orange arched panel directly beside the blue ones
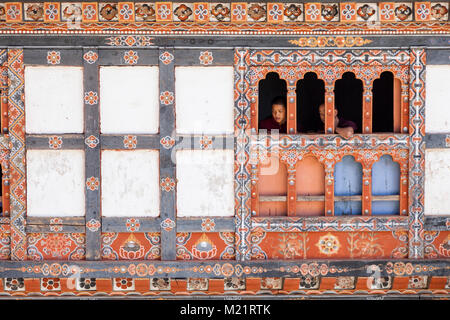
(310, 187)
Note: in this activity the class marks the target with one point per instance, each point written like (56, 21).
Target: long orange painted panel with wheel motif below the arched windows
(333, 245)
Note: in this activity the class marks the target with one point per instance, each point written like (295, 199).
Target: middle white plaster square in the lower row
(130, 183)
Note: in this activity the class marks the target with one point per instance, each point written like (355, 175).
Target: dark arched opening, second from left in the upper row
(310, 95)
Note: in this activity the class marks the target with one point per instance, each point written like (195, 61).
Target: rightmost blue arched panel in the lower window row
(385, 187)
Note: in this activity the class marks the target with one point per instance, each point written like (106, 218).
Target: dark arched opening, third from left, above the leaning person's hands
(348, 95)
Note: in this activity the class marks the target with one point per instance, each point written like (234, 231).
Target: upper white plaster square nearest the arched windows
(204, 100)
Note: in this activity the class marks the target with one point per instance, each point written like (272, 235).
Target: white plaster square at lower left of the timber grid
(55, 183)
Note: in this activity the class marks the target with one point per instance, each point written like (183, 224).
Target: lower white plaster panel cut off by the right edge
(437, 182)
